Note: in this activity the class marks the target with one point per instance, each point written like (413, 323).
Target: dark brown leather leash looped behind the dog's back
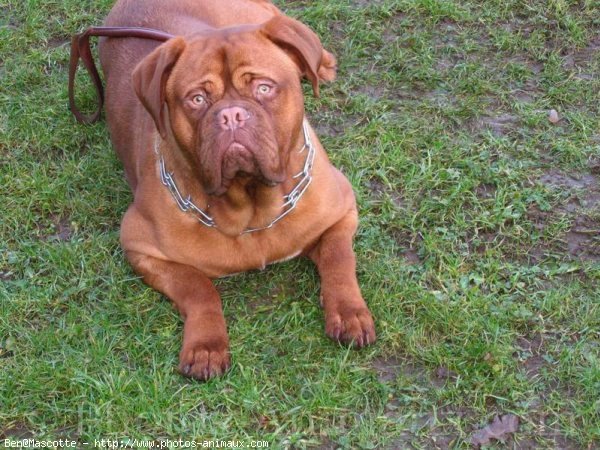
(80, 49)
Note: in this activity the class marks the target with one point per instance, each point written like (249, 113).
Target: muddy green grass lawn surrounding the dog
(478, 248)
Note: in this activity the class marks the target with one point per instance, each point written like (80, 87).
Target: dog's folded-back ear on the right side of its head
(316, 63)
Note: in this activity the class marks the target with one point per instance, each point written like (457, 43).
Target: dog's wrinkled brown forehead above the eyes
(229, 55)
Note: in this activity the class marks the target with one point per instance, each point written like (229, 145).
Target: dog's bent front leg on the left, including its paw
(205, 350)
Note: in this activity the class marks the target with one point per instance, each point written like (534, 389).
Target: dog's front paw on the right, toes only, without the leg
(350, 325)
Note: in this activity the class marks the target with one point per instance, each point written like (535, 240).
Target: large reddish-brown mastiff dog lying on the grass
(227, 174)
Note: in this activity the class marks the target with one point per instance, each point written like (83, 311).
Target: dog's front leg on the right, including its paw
(347, 318)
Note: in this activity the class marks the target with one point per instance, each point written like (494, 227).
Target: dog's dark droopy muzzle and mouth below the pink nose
(243, 153)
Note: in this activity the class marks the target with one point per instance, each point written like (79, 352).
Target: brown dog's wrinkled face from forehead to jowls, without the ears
(230, 111)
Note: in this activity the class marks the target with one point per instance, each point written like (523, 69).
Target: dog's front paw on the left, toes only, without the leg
(203, 359)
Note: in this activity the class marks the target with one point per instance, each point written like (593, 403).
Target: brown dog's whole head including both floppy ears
(233, 97)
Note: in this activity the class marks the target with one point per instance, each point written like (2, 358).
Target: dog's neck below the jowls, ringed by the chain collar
(248, 205)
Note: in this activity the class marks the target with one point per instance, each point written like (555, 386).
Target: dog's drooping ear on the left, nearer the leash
(150, 79)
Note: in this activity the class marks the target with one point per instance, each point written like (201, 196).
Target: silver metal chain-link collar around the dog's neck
(289, 201)
